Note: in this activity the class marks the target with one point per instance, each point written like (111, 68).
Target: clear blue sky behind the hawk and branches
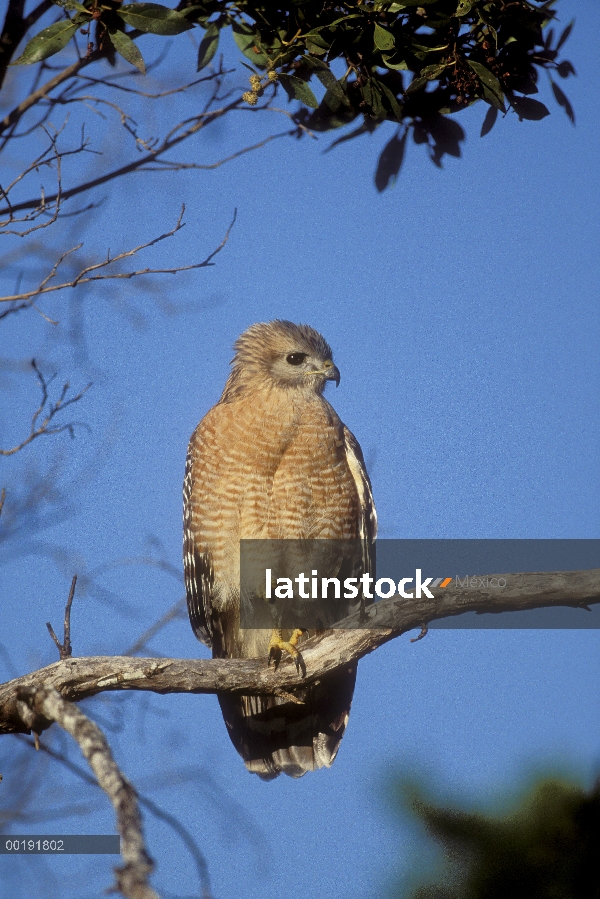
(462, 308)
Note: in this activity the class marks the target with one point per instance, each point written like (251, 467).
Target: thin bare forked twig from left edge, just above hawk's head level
(85, 276)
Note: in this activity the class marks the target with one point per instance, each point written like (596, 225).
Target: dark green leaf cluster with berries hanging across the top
(412, 62)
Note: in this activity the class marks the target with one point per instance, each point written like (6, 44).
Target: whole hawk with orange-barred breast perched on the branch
(272, 460)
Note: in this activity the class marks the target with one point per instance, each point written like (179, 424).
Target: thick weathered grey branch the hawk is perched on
(79, 678)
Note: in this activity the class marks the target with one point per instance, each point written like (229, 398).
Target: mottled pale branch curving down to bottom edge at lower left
(37, 707)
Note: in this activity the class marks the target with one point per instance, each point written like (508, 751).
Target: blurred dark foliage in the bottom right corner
(546, 849)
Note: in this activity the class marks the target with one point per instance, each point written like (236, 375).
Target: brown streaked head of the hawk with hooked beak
(280, 354)
